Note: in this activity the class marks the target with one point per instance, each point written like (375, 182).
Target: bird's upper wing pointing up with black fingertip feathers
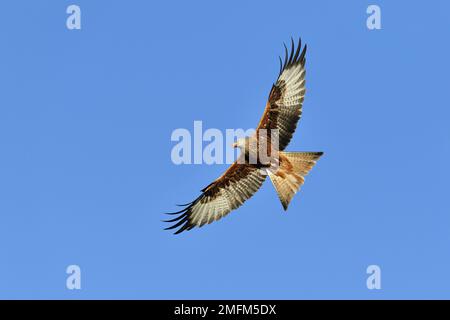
(284, 106)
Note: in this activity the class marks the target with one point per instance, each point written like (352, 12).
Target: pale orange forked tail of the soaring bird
(293, 167)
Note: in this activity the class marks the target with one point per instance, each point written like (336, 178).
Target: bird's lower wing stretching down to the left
(222, 196)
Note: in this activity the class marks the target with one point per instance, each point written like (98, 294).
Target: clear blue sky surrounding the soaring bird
(85, 170)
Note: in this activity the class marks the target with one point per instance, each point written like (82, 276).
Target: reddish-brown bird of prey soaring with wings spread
(246, 175)
